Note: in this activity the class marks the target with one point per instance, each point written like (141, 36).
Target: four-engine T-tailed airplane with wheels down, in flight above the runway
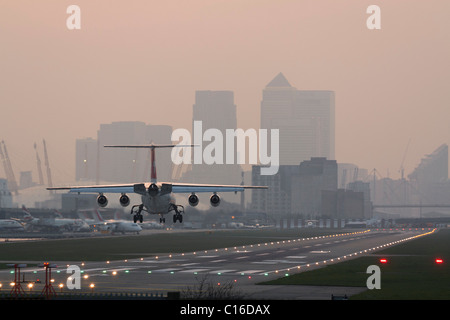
(157, 197)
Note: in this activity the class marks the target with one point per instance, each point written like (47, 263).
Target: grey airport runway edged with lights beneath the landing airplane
(242, 266)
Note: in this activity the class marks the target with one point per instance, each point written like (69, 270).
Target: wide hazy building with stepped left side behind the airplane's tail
(95, 162)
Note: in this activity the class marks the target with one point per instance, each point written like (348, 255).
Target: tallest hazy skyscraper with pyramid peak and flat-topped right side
(305, 119)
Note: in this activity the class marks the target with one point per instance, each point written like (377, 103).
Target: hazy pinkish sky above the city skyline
(140, 60)
